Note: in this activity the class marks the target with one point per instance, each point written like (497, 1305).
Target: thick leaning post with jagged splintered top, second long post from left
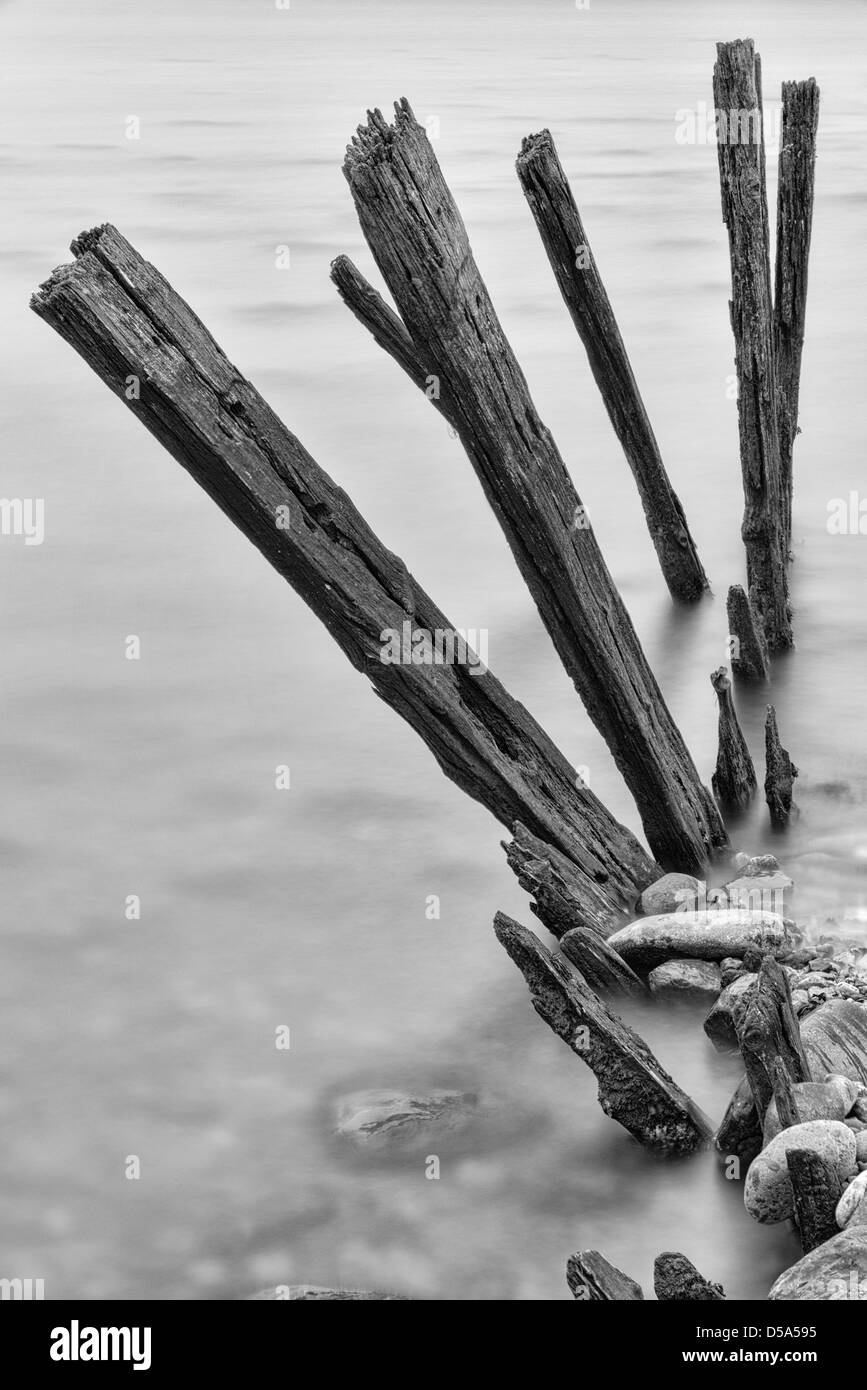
(420, 243)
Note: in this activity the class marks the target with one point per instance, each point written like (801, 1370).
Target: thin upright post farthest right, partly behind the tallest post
(794, 229)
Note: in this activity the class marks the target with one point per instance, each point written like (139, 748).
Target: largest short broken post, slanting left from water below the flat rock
(633, 1086)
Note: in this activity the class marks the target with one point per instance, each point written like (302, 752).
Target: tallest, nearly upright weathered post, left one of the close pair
(741, 154)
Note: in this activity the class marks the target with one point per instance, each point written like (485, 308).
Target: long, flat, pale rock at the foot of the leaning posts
(704, 936)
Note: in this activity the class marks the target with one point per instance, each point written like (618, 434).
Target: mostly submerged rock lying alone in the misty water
(391, 1120)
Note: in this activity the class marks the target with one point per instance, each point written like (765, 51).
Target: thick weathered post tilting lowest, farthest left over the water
(126, 320)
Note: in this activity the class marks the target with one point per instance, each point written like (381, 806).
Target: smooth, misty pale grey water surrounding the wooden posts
(158, 778)
